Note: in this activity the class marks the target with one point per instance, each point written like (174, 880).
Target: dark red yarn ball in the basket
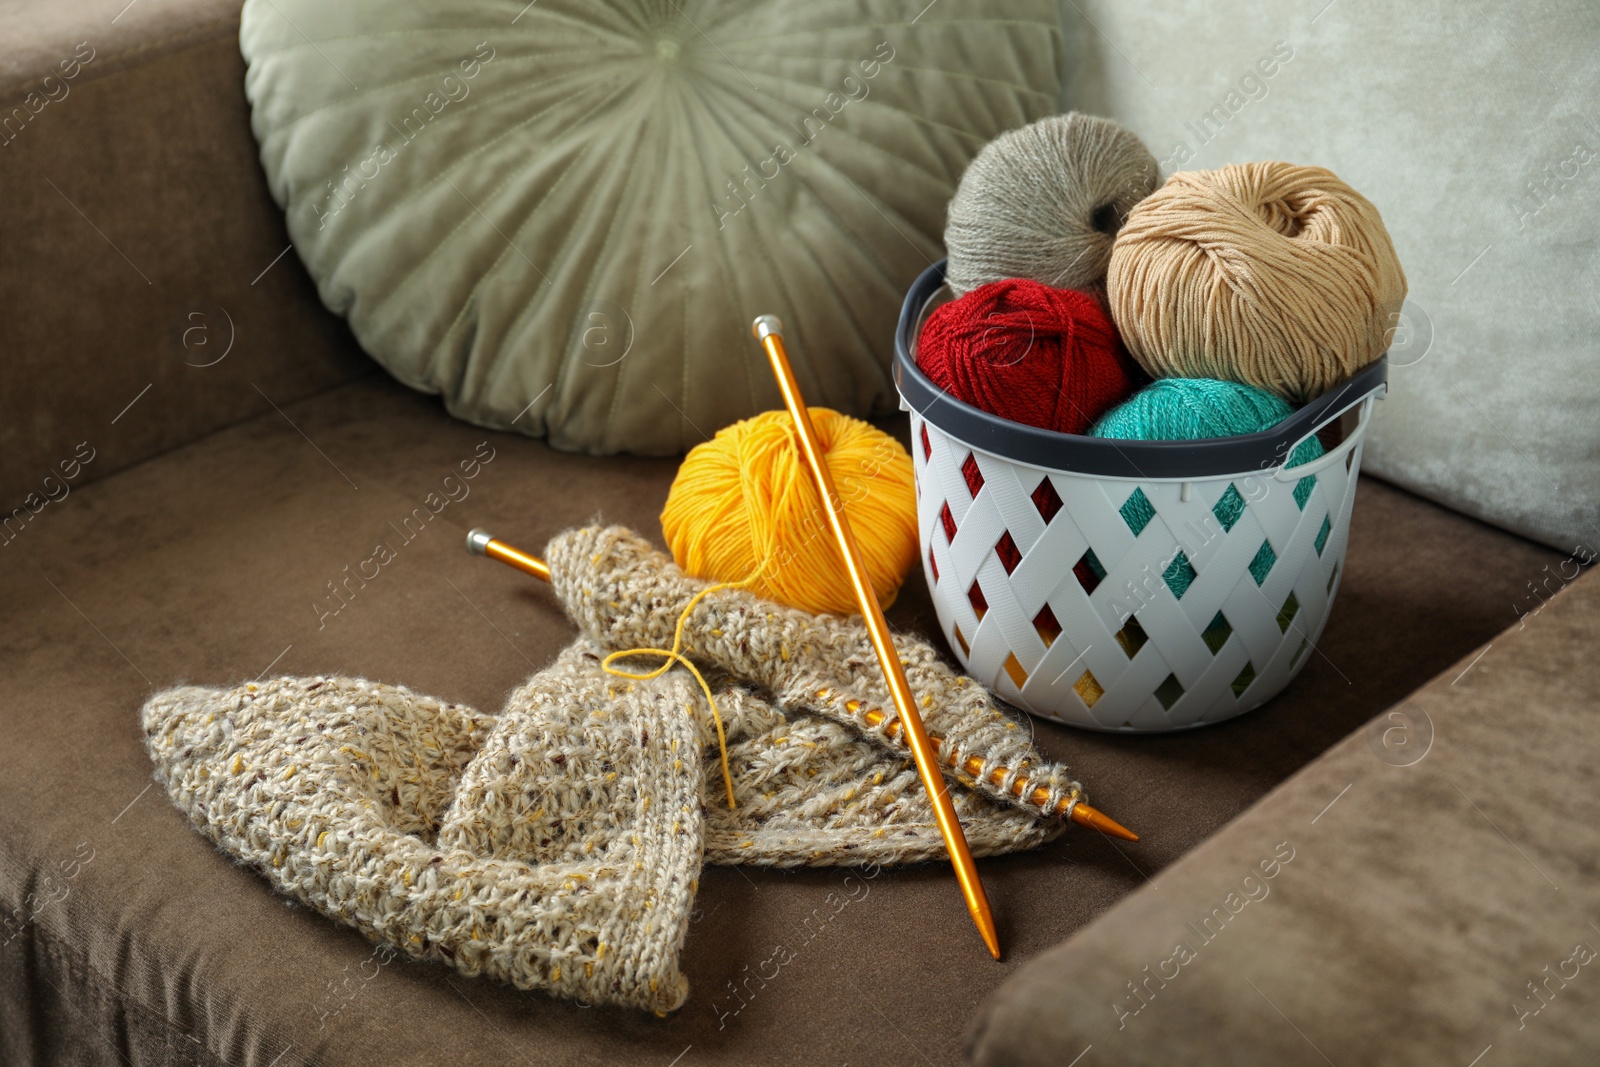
(1031, 354)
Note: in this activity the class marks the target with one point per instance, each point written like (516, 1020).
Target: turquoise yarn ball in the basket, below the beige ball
(1196, 409)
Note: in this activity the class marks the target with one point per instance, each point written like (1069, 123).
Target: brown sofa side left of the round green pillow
(143, 297)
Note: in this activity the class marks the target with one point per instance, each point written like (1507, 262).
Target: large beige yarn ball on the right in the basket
(1268, 274)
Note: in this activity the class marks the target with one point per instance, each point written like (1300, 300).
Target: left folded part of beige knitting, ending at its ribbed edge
(358, 799)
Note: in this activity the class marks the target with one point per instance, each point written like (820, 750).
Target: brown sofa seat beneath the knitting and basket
(254, 553)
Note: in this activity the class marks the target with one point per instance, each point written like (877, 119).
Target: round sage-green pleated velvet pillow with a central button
(564, 215)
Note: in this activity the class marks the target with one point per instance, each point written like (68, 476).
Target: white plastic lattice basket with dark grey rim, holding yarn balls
(1057, 561)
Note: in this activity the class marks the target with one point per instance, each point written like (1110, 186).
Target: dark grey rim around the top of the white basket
(1212, 458)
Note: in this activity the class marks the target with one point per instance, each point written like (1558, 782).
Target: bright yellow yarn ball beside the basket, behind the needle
(743, 506)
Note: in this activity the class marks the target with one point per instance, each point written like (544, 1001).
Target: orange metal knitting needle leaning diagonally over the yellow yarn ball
(769, 330)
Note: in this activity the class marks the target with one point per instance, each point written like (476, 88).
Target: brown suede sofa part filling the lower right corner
(1439, 903)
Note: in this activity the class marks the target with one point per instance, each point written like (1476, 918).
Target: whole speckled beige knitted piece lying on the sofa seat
(558, 845)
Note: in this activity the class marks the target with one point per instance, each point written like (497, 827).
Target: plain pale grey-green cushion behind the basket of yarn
(1442, 114)
